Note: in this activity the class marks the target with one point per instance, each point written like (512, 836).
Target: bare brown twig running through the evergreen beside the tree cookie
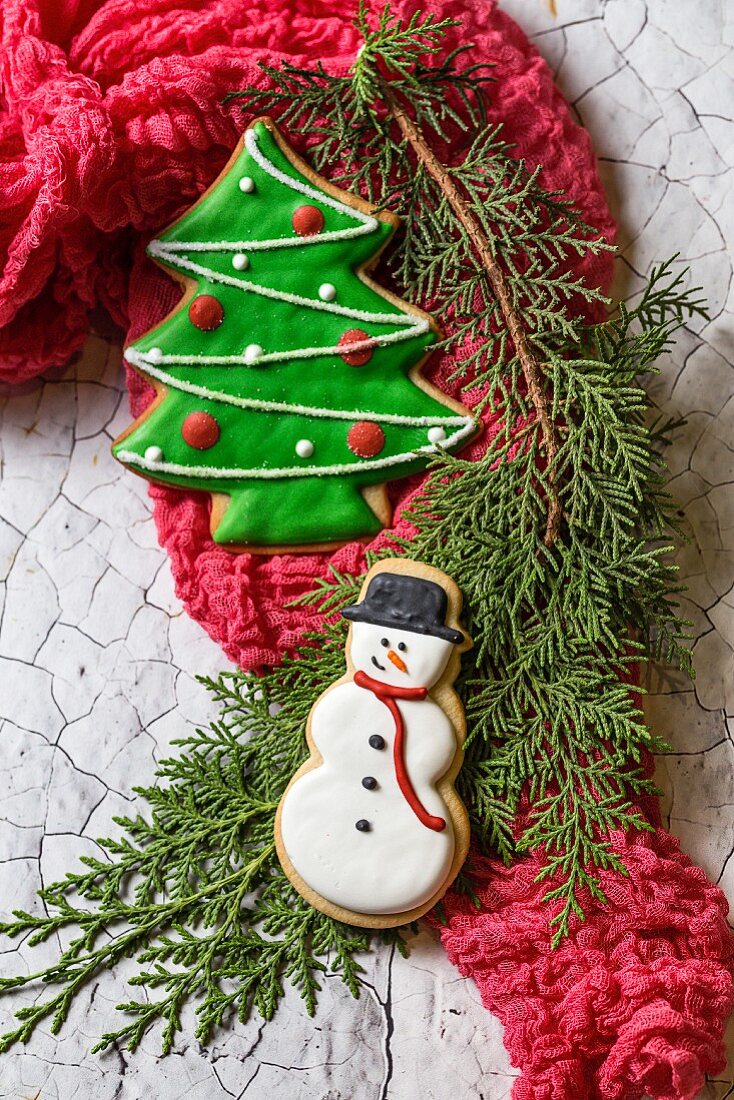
(532, 370)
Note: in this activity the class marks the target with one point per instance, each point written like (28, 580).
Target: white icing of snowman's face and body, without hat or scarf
(347, 827)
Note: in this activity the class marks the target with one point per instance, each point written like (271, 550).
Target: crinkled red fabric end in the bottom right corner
(632, 1005)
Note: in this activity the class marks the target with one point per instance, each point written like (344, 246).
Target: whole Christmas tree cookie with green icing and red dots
(289, 384)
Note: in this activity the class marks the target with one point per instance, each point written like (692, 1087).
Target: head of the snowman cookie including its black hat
(400, 635)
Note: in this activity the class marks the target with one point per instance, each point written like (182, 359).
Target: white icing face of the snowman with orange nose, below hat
(401, 658)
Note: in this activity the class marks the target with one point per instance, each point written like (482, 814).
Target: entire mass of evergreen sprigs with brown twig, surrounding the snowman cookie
(561, 612)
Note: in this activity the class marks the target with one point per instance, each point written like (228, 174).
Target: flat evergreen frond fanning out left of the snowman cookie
(195, 892)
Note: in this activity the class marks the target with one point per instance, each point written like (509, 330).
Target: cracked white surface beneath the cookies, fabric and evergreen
(97, 659)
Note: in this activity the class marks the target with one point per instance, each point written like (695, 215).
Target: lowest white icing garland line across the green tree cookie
(258, 474)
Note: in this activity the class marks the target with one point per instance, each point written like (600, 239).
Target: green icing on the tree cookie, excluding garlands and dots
(309, 501)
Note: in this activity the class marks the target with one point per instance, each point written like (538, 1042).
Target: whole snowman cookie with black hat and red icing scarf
(371, 830)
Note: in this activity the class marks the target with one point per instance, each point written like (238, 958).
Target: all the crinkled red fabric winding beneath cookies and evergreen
(112, 125)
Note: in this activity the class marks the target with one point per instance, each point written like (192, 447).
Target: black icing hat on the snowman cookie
(407, 603)
